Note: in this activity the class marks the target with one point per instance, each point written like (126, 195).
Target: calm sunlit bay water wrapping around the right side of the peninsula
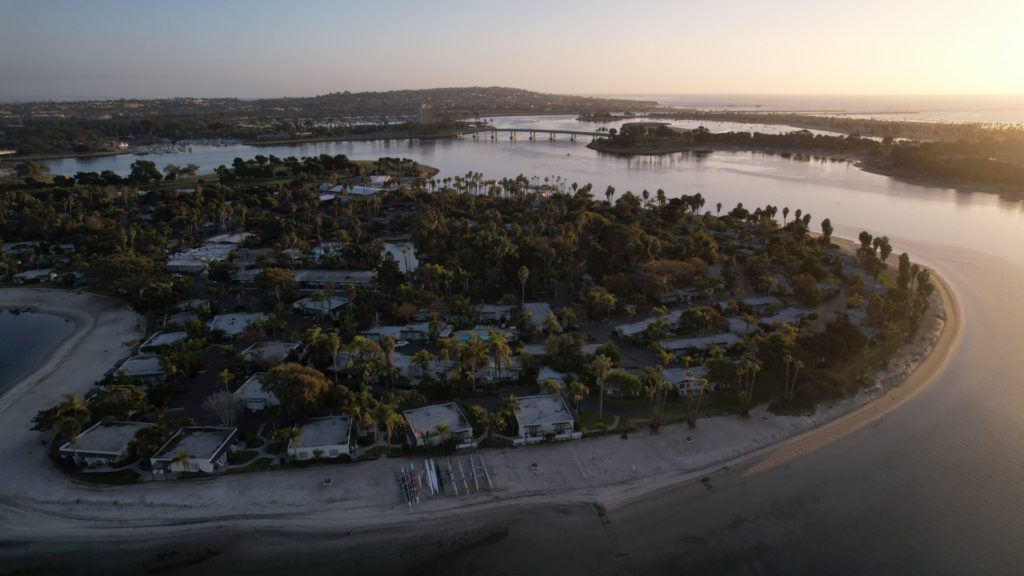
(935, 487)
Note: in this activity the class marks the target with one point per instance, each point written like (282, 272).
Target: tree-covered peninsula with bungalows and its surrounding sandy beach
(319, 326)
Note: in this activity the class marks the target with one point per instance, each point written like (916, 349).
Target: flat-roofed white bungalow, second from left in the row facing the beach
(194, 449)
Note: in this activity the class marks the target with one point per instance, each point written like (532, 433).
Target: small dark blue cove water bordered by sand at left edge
(26, 342)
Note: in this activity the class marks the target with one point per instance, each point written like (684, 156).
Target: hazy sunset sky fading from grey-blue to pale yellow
(152, 49)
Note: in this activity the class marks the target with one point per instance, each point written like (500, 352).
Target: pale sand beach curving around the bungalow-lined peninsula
(38, 503)
